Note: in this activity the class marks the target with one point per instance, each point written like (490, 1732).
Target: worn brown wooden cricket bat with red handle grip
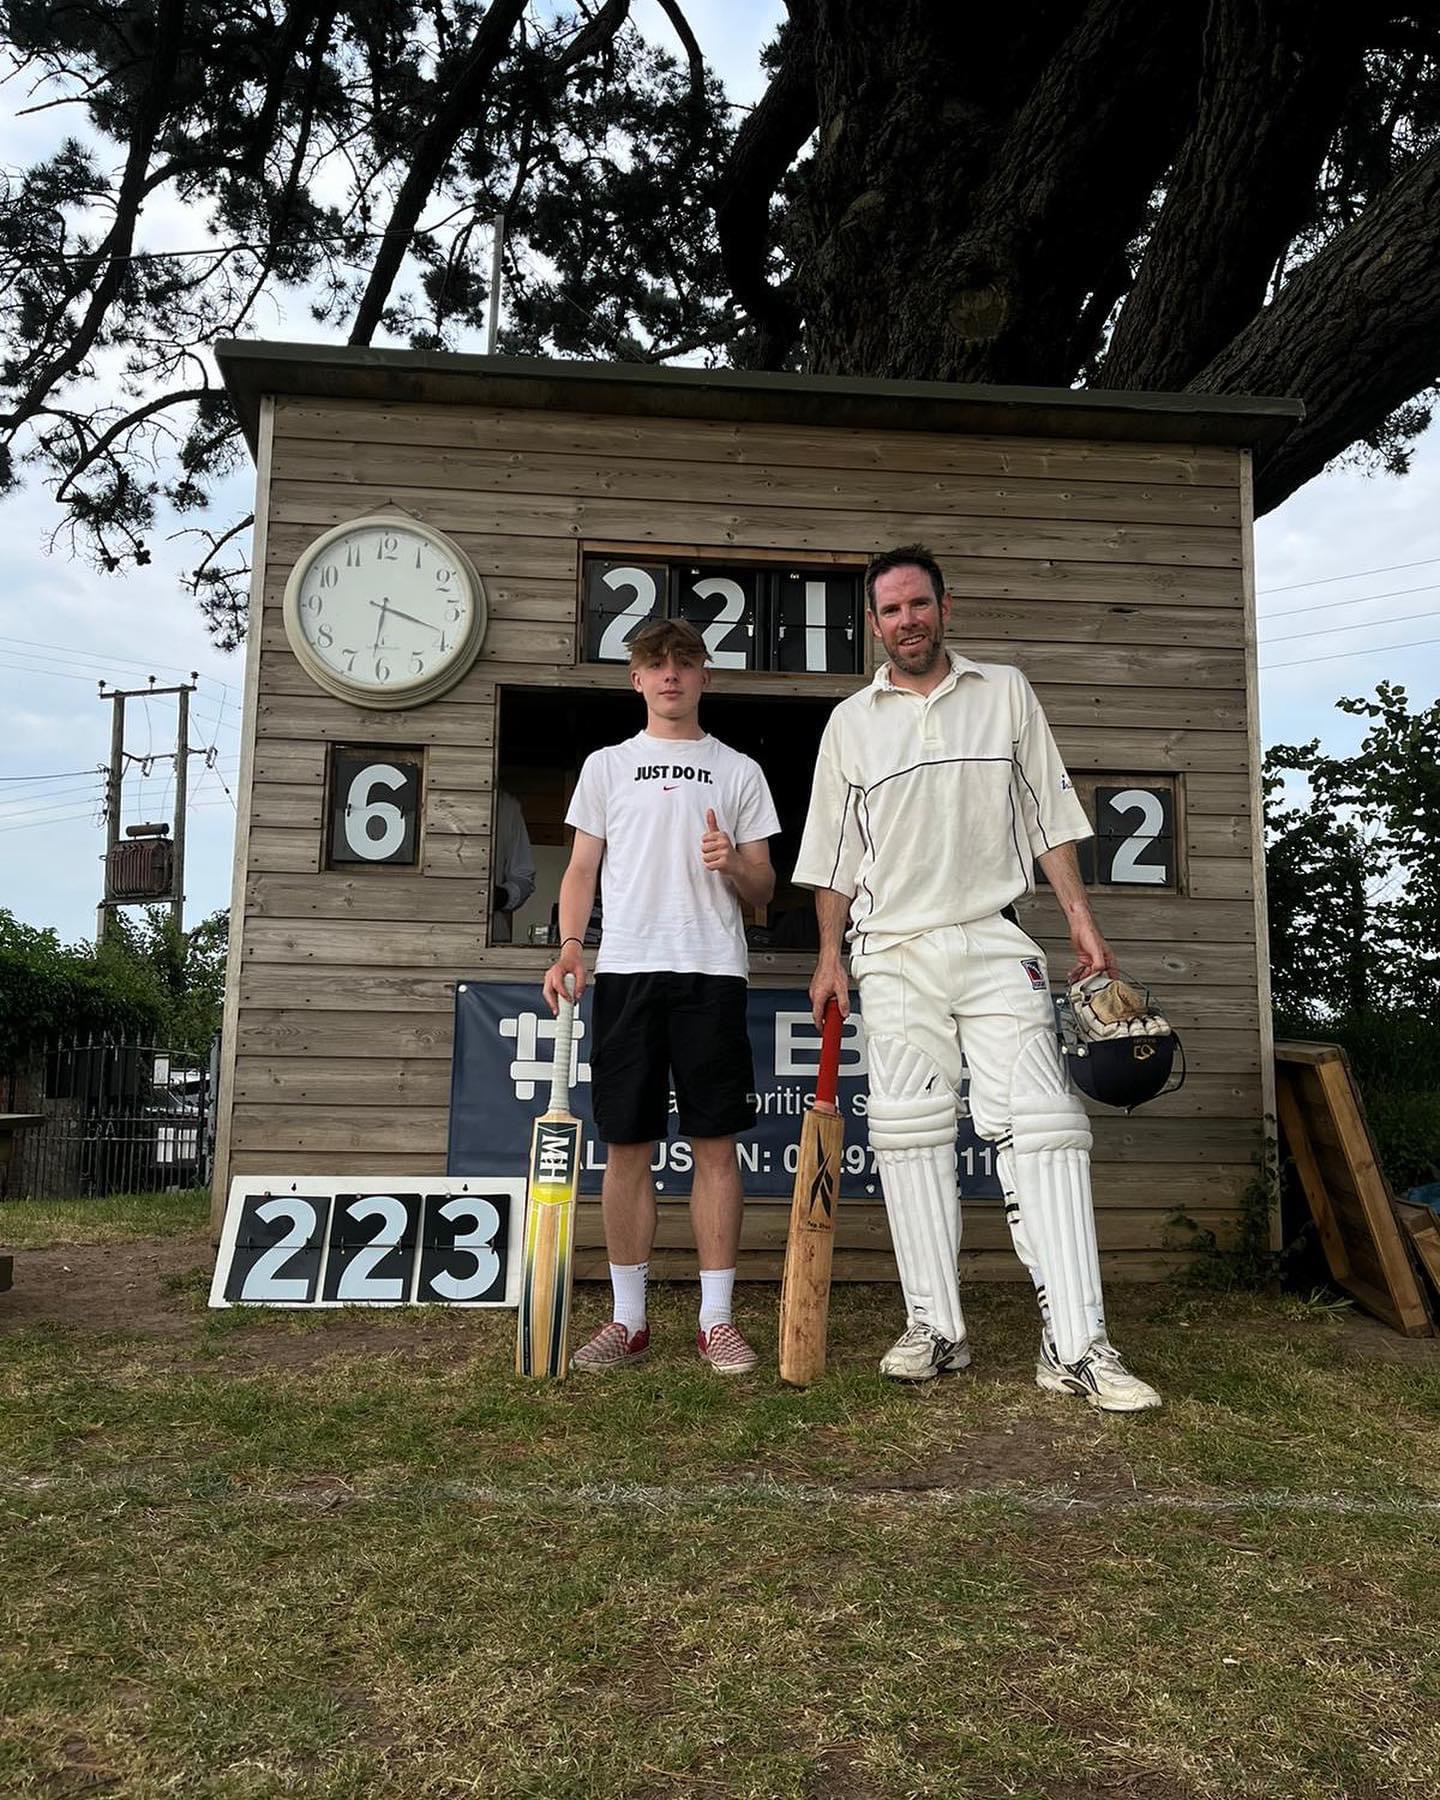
(805, 1290)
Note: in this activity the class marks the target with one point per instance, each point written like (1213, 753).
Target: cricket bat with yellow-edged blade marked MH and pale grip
(543, 1331)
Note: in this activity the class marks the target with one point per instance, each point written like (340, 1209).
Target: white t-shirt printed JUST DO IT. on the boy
(649, 800)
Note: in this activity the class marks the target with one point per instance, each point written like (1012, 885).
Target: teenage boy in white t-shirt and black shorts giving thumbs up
(676, 827)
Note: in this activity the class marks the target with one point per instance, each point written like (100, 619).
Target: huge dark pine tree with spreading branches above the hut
(1228, 197)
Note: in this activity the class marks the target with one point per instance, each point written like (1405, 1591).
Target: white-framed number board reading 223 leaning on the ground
(361, 1241)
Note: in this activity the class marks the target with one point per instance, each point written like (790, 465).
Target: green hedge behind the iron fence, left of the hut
(147, 982)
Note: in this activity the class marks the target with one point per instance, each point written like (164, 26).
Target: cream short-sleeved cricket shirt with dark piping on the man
(931, 809)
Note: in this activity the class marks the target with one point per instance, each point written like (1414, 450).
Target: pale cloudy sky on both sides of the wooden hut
(1347, 577)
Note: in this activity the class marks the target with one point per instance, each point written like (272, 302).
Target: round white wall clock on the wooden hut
(384, 613)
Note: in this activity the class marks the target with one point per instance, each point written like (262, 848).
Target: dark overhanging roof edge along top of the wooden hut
(319, 372)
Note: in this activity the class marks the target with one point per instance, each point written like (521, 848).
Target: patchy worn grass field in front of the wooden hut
(341, 1556)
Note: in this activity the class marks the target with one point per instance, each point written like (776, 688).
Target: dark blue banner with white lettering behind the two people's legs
(501, 1081)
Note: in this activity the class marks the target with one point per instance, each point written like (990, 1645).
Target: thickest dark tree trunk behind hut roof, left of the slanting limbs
(976, 179)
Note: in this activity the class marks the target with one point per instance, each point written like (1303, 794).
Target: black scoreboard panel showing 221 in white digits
(795, 618)
